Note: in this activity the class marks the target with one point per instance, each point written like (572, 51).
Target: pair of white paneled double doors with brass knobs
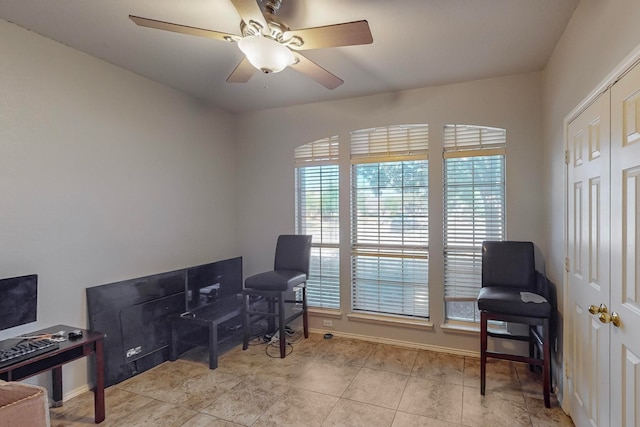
(604, 258)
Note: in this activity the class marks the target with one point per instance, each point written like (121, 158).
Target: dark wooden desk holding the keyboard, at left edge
(90, 343)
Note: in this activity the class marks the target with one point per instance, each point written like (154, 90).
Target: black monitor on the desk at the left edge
(18, 300)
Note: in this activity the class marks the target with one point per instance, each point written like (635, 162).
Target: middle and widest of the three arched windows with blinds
(372, 290)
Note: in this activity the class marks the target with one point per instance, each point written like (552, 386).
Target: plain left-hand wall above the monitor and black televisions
(104, 176)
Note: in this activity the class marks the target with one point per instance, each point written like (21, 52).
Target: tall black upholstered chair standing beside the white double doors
(513, 291)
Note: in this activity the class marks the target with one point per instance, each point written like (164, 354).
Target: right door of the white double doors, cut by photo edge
(625, 250)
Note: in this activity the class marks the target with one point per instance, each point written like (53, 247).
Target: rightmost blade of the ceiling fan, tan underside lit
(346, 34)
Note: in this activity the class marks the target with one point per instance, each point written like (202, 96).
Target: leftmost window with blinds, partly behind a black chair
(317, 214)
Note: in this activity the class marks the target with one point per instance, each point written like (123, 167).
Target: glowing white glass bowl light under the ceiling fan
(266, 54)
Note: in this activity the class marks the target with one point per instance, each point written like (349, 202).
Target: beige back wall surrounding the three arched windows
(266, 142)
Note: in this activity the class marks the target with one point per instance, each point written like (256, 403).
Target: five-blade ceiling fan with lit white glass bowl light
(270, 46)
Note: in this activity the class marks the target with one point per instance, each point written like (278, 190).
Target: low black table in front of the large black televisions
(211, 317)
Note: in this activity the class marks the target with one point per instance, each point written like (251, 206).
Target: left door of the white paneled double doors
(588, 250)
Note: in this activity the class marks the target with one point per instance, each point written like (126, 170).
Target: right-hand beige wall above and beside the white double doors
(599, 36)
